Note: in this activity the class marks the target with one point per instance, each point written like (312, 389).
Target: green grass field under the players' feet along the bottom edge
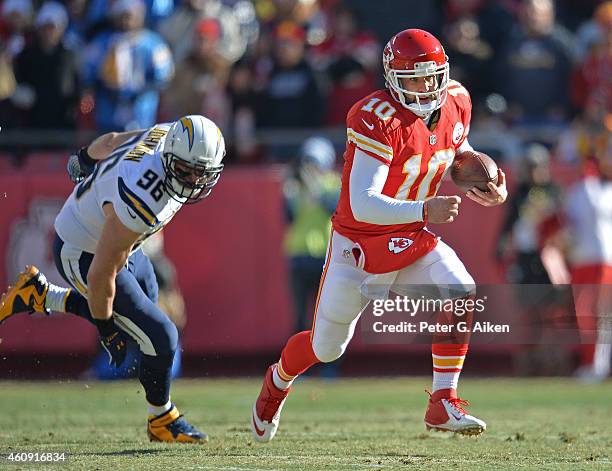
(348, 424)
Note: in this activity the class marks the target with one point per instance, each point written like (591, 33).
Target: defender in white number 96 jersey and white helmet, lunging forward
(136, 182)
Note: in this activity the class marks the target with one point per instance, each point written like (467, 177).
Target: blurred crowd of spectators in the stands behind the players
(537, 66)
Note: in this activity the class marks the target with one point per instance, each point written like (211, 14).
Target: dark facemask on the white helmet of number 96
(180, 186)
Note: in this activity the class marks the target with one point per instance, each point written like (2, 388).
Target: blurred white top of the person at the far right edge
(589, 211)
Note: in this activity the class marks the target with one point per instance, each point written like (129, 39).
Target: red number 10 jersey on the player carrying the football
(417, 156)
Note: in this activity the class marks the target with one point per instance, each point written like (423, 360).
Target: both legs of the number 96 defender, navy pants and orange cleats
(135, 312)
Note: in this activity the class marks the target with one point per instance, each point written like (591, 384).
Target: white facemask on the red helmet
(414, 100)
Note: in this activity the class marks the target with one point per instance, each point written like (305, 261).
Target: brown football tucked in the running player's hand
(473, 169)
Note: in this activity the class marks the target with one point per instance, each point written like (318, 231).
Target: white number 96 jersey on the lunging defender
(132, 180)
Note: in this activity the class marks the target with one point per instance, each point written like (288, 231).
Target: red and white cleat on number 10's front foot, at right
(445, 413)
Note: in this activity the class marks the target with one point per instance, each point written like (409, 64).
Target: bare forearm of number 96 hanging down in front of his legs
(112, 252)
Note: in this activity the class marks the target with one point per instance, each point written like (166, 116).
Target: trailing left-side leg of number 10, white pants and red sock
(338, 306)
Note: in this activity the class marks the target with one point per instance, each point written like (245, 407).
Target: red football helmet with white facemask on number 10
(416, 53)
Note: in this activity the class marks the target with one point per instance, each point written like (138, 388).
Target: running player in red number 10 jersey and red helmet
(400, 142)
